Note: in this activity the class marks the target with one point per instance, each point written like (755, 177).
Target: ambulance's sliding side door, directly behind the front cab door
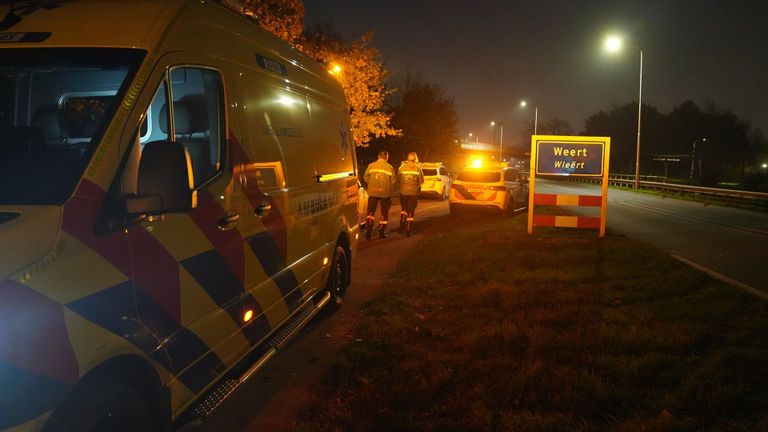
(275, 172)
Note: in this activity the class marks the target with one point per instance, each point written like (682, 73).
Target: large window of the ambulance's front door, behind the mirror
(198, 118)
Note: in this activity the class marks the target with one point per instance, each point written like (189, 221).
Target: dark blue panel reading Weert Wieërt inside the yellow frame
(570, 158)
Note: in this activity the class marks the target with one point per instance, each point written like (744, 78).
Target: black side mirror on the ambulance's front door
(164, 181)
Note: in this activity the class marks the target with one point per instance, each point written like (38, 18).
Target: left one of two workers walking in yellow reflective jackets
(380, 177)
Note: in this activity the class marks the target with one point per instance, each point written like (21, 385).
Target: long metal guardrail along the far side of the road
(754, 200)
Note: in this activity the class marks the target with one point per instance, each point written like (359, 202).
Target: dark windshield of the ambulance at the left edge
(55, 105)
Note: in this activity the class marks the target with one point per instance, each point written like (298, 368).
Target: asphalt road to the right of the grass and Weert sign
(726, 242)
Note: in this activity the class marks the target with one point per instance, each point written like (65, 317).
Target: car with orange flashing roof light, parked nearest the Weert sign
(493, 186)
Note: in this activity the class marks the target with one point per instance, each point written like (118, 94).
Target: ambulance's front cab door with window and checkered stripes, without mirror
(188, 267)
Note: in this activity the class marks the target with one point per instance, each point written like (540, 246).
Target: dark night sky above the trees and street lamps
(489, 55)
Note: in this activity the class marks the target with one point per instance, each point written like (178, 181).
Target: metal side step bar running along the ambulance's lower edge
(274, 345)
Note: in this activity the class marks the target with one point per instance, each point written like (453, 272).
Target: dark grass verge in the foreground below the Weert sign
(485, 328)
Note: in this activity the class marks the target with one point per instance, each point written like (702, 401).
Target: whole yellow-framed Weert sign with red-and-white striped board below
(577, 156)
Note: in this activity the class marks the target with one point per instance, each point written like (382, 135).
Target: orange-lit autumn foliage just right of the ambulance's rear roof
(362, 77)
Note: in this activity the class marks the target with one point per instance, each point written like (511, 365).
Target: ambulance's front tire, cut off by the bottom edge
(116, 408)
